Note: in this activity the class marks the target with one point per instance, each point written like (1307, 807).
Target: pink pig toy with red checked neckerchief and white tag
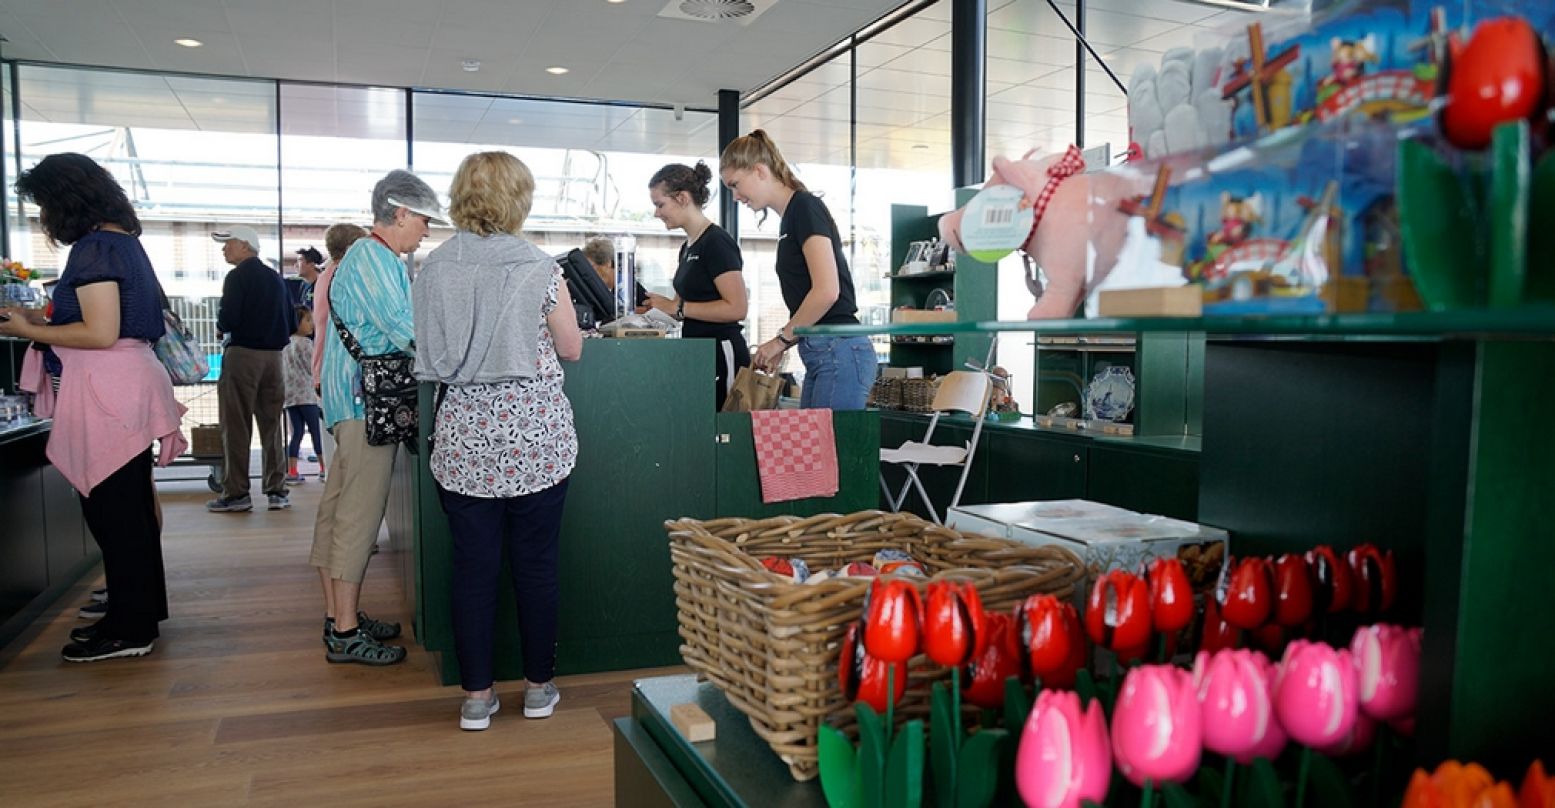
(1060, 242)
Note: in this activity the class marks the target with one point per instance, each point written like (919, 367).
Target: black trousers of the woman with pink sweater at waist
(122, 514)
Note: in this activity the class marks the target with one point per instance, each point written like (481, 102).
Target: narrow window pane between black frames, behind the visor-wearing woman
(337, 144)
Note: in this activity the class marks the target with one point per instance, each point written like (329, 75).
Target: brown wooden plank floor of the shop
(237, 705)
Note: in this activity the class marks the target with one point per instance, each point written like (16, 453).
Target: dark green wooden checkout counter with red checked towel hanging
(651, 448)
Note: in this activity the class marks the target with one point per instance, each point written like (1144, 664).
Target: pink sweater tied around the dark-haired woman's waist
(113, 405)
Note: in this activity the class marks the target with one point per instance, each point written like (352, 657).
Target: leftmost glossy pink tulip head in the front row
(1064, 756)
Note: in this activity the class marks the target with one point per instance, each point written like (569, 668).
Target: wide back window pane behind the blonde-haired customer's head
(592, 165)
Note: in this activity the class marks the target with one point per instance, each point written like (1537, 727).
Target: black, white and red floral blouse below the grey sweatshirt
(508, 439)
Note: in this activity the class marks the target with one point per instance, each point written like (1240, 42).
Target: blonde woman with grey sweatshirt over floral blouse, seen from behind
(492, 324)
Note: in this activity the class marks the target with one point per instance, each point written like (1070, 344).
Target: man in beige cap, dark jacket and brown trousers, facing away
(259, 321)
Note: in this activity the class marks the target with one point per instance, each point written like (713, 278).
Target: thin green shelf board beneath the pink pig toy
(1470, 324)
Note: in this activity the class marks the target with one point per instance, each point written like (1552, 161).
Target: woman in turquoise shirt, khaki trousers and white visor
(371, 296)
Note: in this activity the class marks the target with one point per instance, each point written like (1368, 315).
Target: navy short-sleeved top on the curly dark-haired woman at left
(103, 257)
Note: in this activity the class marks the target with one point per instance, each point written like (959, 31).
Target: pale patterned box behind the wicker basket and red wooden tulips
(1105, 537)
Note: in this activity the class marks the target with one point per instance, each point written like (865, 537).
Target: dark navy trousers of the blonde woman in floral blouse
(529, 528)
